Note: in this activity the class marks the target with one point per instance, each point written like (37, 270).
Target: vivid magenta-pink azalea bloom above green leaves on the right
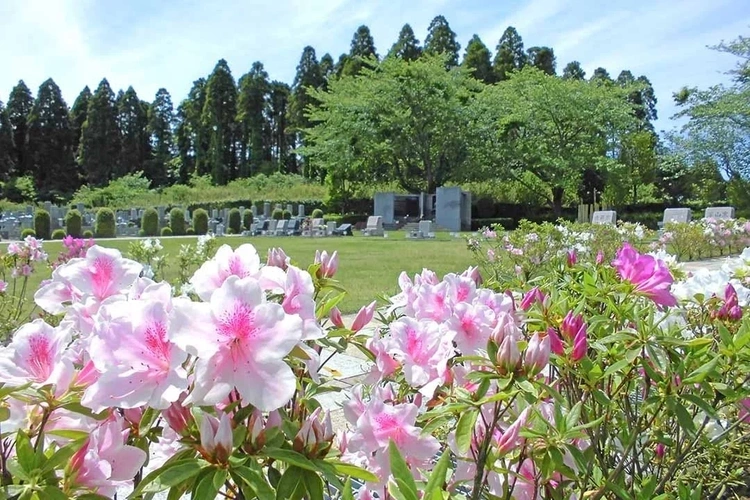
(650, 276)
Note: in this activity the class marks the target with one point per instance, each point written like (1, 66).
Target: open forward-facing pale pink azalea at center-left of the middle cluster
(423, 351)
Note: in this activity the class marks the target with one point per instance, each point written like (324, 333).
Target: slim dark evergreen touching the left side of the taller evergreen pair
(191, 135)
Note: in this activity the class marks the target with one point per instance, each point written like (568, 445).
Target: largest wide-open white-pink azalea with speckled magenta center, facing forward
(240, 340)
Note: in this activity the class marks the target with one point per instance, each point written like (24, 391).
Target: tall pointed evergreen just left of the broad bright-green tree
(308, 75)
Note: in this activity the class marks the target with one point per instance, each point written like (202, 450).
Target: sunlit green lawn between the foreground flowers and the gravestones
(367, 266)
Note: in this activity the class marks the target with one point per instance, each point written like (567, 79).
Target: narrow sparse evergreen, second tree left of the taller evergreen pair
(160, 122)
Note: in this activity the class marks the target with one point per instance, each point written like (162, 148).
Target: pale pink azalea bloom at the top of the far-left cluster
(102, 273)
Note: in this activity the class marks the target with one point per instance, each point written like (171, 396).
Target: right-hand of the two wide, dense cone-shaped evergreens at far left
(99, 149)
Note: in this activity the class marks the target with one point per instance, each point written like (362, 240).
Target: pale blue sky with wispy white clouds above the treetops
(169, 43)
